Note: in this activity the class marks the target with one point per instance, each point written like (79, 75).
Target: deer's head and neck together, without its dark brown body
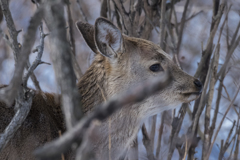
(122, 62)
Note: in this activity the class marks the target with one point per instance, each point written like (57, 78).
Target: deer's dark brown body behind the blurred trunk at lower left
(41, 125)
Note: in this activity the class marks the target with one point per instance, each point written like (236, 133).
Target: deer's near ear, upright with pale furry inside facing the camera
(108, 38)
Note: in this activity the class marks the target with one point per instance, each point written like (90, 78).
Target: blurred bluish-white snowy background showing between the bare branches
(194, 40)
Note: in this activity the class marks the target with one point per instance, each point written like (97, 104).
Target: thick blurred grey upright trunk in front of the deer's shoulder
(62, 63)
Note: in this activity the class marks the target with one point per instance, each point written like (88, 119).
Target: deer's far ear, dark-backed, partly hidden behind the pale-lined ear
(87, 31)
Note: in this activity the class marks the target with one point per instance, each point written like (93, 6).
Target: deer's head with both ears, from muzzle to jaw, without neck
(129, 61)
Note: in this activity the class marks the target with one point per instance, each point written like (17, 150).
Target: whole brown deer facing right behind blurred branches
(120, 62)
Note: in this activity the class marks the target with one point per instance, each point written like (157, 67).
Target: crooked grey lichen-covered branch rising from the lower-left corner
(23, 101)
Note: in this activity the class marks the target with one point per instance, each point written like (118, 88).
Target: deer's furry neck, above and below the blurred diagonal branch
(98, 85)
